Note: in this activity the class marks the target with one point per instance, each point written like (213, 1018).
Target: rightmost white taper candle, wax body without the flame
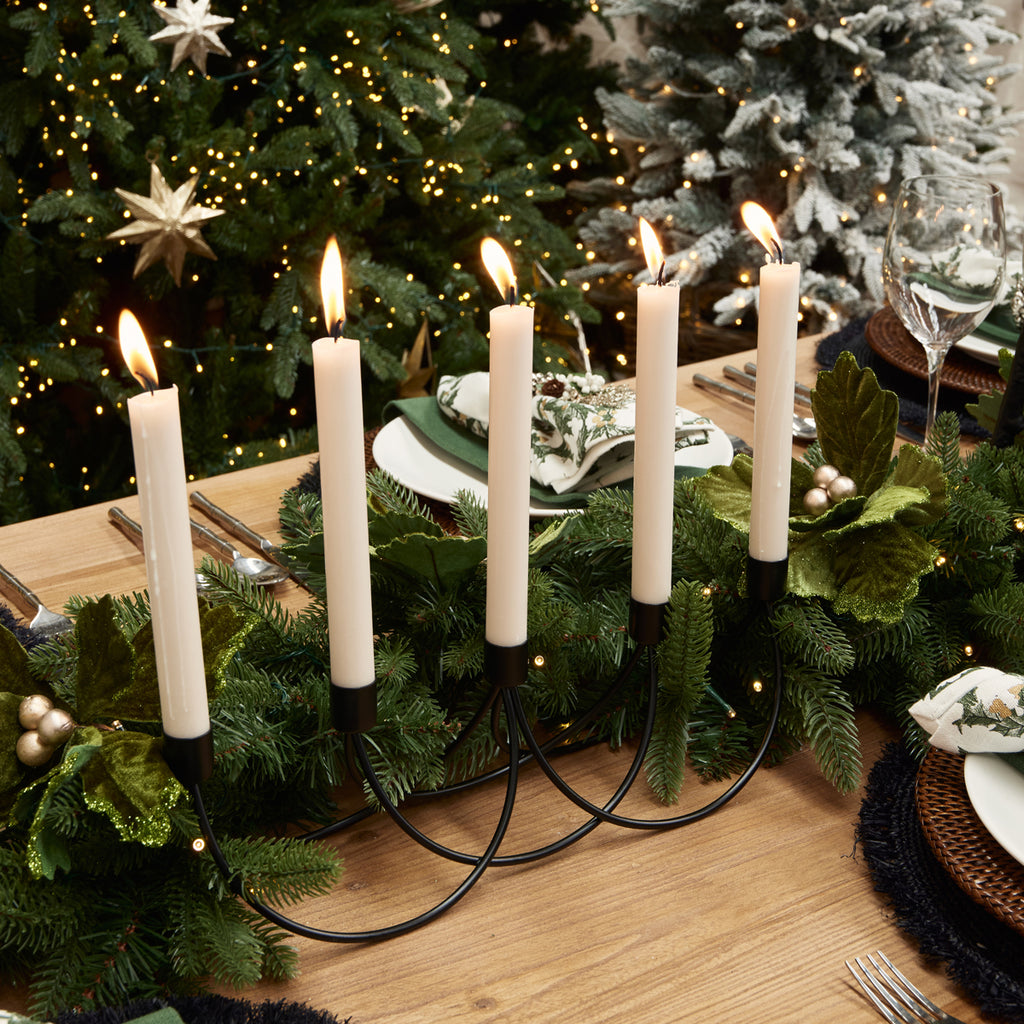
(779, 306)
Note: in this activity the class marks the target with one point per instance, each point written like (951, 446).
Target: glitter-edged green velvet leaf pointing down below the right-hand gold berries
(878, 571)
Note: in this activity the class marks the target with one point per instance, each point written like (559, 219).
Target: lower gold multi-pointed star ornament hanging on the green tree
(166, 225)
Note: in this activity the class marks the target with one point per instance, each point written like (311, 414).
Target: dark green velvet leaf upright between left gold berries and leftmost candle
(104, 685)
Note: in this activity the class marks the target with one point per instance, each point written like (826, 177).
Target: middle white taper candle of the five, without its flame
(508, 474)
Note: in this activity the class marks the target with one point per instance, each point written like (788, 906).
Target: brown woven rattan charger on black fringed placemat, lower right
(962, 844)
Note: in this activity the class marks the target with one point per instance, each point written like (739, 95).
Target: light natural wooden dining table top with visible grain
(746, 916)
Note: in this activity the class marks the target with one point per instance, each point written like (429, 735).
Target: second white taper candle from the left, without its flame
(338, 385)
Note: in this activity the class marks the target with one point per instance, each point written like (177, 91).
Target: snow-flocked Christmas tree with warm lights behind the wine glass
(816, 109)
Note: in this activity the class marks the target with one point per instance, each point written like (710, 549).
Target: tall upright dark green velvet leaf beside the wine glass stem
(857, 422)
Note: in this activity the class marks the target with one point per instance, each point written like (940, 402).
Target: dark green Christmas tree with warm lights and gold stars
(371, 121)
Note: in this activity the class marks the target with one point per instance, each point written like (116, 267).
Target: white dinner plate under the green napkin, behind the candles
(424, 467)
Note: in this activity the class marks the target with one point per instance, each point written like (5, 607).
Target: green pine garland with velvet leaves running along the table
(104, 898)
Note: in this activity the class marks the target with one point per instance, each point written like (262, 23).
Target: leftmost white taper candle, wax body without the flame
(160, 471)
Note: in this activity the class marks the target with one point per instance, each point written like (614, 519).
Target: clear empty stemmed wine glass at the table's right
(944, 264)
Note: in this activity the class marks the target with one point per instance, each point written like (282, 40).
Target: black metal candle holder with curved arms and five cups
(506, 671)
